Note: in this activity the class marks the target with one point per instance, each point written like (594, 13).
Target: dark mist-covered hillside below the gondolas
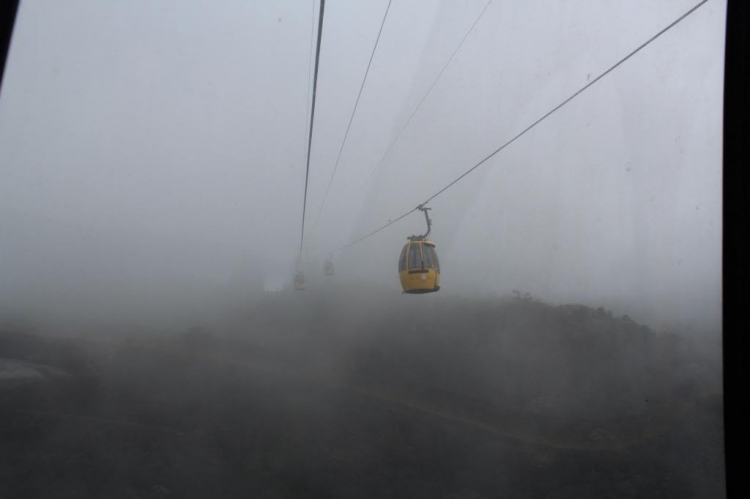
(359, 392)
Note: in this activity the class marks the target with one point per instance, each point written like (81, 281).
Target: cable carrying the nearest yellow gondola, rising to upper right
(556, 108)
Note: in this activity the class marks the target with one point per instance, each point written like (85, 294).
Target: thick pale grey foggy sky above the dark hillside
(153, 154)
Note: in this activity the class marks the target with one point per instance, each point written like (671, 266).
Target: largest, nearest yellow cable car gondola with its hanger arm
(418, 266)
